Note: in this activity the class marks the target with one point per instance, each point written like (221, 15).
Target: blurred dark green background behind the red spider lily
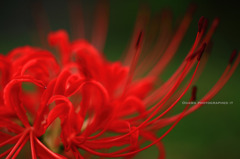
(213, 132)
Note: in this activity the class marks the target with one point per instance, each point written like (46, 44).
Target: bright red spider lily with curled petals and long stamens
(100, 104)
